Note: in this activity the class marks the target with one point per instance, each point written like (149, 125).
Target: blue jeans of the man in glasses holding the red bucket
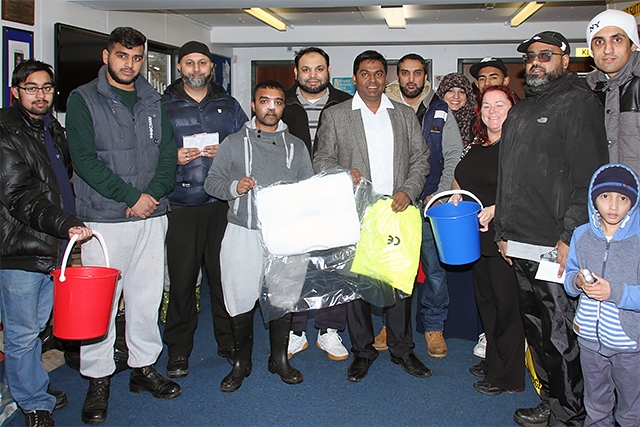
(26, 304)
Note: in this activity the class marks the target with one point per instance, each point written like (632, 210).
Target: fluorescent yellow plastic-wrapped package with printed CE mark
(389, 246)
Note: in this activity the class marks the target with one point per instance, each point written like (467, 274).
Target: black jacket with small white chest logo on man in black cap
(552, 142)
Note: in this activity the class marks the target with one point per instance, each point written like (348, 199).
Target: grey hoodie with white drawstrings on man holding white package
(267, 157)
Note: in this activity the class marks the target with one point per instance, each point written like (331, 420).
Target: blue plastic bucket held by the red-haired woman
(456, 229)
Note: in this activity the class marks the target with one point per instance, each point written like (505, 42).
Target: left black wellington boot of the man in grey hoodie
(242, 326)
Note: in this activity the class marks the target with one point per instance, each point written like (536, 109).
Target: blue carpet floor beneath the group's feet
(386, 397)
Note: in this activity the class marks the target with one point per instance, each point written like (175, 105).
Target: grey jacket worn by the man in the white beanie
(623, 127)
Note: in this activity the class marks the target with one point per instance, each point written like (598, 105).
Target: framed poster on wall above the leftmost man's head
(17, 47)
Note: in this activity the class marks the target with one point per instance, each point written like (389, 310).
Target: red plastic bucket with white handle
(83, 297)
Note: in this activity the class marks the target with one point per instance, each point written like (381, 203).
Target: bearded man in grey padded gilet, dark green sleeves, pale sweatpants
(122, 145)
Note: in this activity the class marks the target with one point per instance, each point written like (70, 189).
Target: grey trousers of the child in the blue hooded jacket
(604, 378)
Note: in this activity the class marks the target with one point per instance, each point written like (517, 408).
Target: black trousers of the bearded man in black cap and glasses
(547, 315)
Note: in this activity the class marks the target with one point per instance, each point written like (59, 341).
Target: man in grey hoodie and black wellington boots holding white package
(262, 153)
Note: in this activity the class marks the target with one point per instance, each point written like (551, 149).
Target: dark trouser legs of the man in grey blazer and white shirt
(398, 322)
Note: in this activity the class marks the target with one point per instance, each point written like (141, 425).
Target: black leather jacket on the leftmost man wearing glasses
(32, 221)
